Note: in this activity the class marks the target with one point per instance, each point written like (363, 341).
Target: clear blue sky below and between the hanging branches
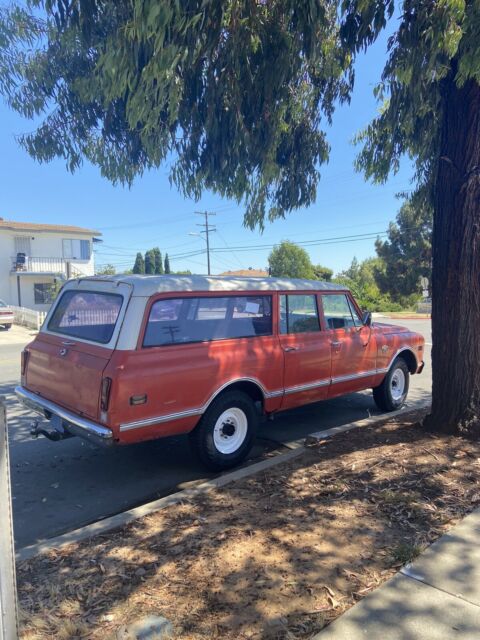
(152, 213)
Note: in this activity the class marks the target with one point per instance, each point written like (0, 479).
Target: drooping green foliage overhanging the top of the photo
(234, 91)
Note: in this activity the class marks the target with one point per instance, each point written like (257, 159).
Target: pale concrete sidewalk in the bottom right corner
(437, 597)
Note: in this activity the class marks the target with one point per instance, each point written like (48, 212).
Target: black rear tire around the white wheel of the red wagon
(203, 438)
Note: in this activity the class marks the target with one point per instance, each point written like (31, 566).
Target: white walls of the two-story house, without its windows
(42, 245)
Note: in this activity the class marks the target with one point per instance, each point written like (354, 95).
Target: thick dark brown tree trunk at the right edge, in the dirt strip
(456, 265)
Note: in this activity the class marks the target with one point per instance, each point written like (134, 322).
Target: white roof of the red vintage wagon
(149, 285)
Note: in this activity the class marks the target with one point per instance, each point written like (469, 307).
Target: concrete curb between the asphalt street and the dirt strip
(121, 519)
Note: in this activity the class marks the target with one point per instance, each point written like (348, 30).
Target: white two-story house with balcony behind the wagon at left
(35, 256)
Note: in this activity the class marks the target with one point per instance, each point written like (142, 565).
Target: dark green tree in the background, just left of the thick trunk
(407, 254)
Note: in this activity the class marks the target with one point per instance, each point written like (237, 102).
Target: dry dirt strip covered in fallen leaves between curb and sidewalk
(275, 556)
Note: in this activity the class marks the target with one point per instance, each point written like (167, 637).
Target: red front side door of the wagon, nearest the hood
(353, 345)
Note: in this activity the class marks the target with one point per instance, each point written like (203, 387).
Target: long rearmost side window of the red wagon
(202, 319)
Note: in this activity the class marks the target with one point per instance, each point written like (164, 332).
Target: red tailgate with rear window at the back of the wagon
(67, 359)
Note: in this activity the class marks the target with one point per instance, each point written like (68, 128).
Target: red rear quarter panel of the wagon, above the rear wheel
(183, 378)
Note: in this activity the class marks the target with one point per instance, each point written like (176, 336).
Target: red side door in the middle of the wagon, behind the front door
(307, 350)
